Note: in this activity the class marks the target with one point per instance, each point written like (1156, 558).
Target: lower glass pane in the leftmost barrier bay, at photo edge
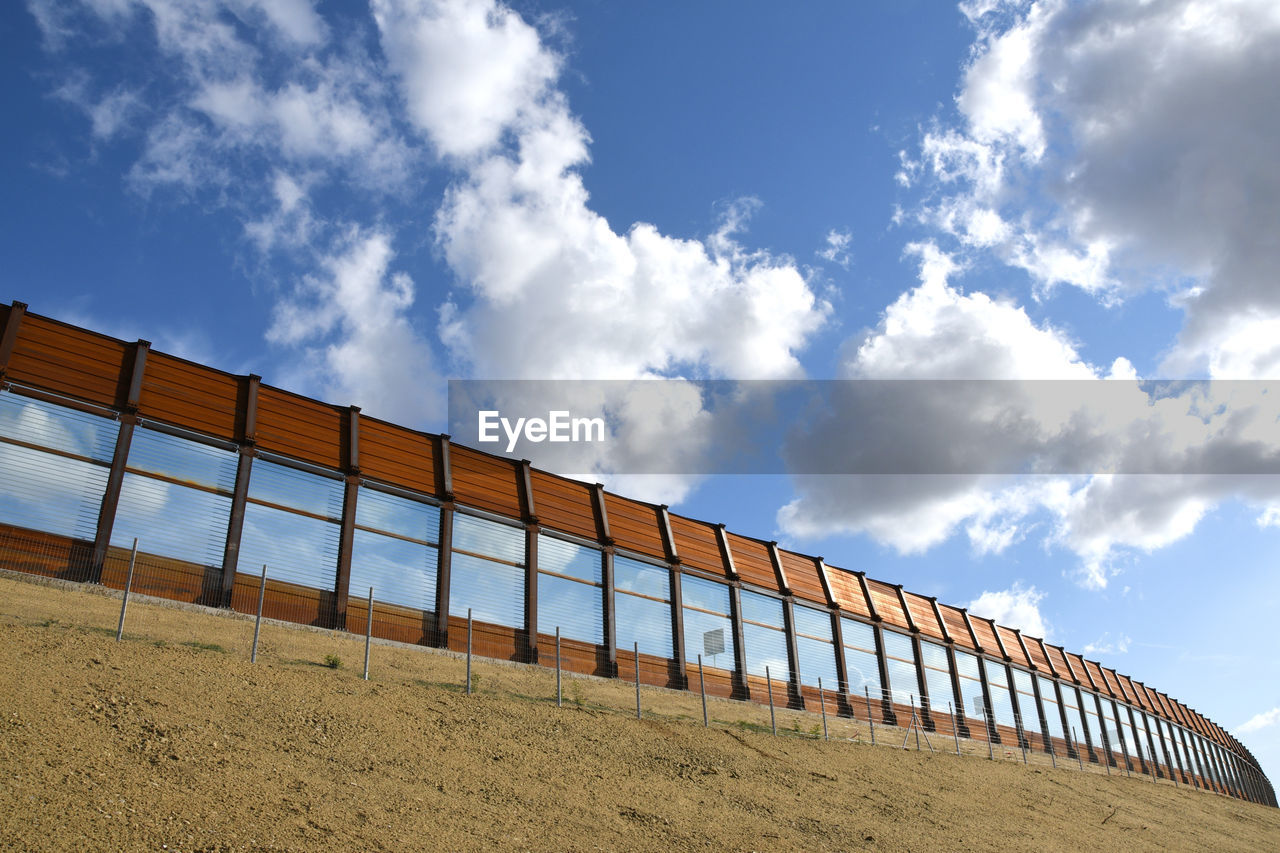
(53, 494)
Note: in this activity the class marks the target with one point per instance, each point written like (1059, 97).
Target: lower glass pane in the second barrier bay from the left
(172, 521)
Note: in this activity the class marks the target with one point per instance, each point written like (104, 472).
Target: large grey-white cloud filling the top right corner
(1118, 147)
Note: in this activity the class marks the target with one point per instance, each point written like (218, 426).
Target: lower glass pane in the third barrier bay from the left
(296, 549)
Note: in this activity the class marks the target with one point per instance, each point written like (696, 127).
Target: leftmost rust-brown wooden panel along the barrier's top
(71, 362)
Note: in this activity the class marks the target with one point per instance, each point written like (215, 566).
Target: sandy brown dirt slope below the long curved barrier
(173, 741)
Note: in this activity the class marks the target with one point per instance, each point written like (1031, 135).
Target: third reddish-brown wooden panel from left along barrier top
(300, 427)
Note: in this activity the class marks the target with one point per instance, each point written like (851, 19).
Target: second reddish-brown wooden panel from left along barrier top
(190, 395)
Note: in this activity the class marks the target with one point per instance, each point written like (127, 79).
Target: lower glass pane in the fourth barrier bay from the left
(400, 572)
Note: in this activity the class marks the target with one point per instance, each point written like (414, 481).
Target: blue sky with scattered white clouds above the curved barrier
(360, 202)
